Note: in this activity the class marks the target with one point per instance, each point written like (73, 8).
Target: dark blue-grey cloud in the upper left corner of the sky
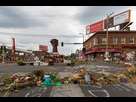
(14, 17)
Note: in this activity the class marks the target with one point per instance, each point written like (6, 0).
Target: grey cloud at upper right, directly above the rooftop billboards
(93, 14)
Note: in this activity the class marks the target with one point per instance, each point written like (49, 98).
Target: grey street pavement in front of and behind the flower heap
(70, 90)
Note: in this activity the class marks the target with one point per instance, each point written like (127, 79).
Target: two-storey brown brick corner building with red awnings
(118, 42)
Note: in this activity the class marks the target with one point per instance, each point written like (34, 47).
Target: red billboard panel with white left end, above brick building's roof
(94, 27)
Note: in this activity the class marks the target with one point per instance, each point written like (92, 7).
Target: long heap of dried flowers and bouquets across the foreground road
(14, 83)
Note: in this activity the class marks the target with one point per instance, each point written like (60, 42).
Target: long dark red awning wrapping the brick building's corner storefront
(104, 50)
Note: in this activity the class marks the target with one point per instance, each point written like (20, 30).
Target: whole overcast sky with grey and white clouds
(52, 20)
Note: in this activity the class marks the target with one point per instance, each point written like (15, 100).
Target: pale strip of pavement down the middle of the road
(66, 90)
